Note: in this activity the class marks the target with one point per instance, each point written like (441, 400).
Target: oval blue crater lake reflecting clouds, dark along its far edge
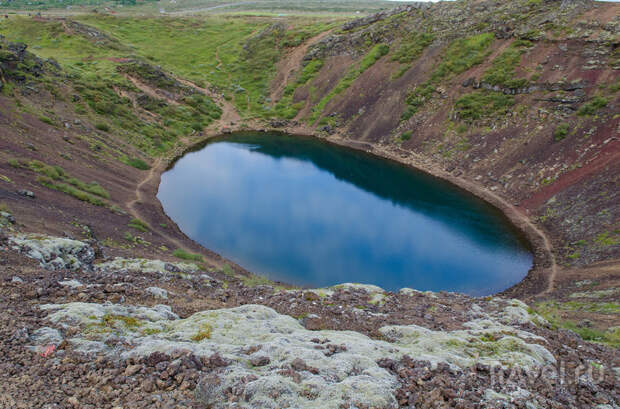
(305, 212)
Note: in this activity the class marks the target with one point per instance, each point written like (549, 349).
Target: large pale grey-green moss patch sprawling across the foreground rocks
(271, 360)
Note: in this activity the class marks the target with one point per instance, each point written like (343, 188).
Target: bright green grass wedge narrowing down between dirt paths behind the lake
(237, 55)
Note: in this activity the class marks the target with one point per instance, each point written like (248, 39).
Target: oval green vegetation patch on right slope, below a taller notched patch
(483, 104)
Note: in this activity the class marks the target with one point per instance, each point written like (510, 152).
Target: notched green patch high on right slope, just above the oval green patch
(502, 71)
